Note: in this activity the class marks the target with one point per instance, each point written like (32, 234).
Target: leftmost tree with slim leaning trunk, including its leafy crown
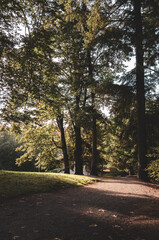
(29, 79)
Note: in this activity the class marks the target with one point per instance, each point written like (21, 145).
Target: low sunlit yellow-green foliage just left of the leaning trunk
(38, 146)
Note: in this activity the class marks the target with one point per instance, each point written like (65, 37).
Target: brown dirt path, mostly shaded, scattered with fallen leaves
(114, 209)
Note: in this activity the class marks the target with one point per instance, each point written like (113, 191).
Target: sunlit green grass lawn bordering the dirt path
(13, 184)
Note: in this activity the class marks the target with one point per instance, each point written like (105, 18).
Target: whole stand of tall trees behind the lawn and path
(59, 74)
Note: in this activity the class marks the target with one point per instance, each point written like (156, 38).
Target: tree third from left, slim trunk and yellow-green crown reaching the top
(98, 36)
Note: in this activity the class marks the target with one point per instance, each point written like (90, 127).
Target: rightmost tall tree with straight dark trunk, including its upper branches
(137, 18)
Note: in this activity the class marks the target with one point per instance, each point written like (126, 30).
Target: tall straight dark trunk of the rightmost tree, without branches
(140, 93)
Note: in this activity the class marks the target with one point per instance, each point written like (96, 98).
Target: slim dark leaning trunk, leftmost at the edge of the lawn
(63, 143)
